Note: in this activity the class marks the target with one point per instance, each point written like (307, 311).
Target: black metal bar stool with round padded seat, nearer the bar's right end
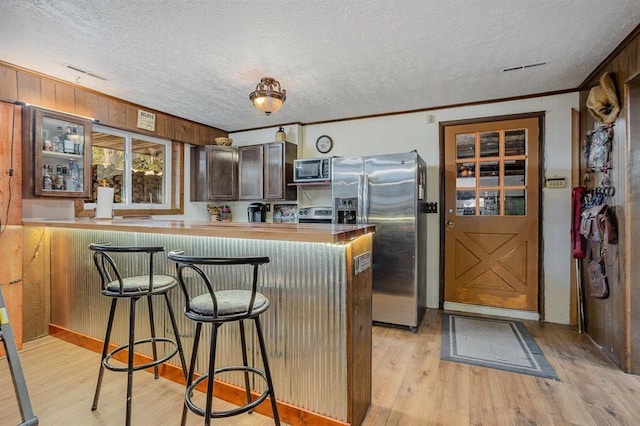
(219, 307)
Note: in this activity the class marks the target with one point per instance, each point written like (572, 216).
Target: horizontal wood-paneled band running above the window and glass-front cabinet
(22, 85)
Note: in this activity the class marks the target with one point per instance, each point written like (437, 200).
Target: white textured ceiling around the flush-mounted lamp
(336, 59)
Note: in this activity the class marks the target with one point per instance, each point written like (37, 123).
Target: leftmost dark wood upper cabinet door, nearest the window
(222, 173)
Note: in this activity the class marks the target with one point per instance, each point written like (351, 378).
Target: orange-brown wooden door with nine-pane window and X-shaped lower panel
(491, 214)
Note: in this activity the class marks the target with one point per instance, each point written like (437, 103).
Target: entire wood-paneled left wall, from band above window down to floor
(20, 85)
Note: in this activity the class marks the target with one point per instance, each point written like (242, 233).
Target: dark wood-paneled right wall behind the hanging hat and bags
(612, 322)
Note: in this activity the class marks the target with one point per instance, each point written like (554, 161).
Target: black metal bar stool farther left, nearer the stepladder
(117, 287)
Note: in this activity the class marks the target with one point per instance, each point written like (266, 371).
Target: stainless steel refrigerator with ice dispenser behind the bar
(388, 191)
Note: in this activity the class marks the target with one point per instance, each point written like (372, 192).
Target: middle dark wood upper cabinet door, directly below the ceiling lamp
(251, 172)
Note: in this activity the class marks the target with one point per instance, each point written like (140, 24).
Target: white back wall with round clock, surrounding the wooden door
(420, 131)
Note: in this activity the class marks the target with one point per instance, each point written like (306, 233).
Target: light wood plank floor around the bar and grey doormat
(411, 386)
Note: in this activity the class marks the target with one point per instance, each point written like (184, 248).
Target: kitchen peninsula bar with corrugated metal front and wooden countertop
(317, 330)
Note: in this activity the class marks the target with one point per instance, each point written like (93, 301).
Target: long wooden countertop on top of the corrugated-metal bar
(321, 233)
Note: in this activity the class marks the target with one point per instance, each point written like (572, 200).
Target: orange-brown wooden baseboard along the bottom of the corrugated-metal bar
(288, 413)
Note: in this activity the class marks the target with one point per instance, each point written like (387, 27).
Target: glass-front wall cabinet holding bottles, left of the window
(57, 154)
